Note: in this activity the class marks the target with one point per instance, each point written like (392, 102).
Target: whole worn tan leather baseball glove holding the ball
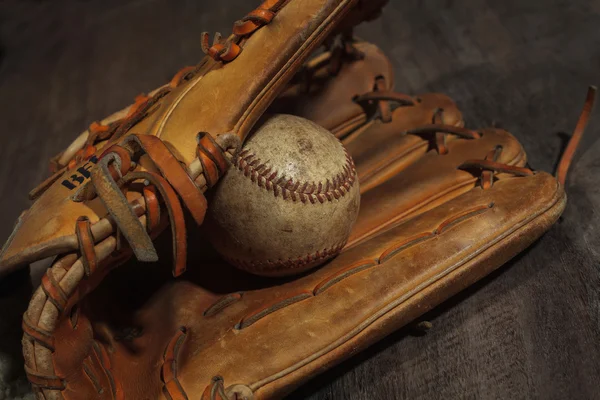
(441, 207)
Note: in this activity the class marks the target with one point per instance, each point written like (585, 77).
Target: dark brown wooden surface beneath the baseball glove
(532, 330)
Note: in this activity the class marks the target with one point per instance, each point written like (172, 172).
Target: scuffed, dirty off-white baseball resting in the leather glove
(287, 202)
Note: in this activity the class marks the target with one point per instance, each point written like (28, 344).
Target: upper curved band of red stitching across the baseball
(268, 178)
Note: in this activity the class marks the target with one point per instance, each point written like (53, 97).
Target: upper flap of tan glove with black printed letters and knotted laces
(222, 97)
